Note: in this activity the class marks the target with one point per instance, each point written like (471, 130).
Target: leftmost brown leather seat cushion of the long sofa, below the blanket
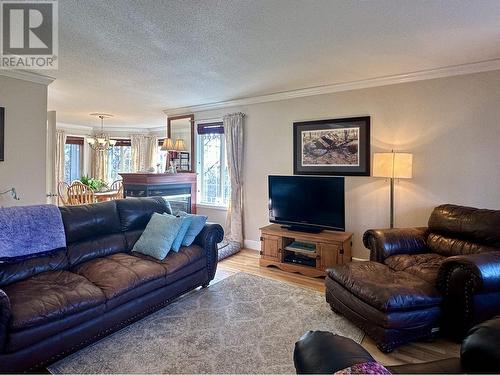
(50, 296)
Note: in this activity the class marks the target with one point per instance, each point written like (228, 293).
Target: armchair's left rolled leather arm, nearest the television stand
(383, 243)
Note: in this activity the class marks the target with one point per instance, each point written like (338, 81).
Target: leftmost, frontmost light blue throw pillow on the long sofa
(156, 240)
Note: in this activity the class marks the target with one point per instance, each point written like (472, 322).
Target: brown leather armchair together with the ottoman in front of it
(422, 280)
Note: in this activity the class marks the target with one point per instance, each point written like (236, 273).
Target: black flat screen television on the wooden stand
(307, 203)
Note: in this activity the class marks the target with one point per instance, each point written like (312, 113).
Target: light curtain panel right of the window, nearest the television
(233, 130)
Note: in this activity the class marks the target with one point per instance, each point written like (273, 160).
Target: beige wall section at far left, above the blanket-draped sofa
(25, 140)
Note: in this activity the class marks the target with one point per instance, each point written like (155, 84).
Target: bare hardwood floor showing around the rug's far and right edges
(248, 261)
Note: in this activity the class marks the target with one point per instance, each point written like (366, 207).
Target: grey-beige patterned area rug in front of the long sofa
(242, 324)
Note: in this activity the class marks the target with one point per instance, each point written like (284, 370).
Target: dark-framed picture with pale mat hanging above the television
(335, 147)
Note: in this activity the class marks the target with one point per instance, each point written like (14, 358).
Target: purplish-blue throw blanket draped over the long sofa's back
(30, 230)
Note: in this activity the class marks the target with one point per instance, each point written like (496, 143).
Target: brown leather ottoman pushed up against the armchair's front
(392, 307)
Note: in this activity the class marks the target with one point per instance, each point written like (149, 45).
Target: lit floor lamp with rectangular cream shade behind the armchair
(392, 165)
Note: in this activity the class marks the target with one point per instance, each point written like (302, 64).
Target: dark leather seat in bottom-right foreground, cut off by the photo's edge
(320, 352)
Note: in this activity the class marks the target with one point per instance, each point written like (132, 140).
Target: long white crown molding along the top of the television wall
(448, 71)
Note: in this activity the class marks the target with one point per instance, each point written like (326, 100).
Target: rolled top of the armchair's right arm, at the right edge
(480, 271)
